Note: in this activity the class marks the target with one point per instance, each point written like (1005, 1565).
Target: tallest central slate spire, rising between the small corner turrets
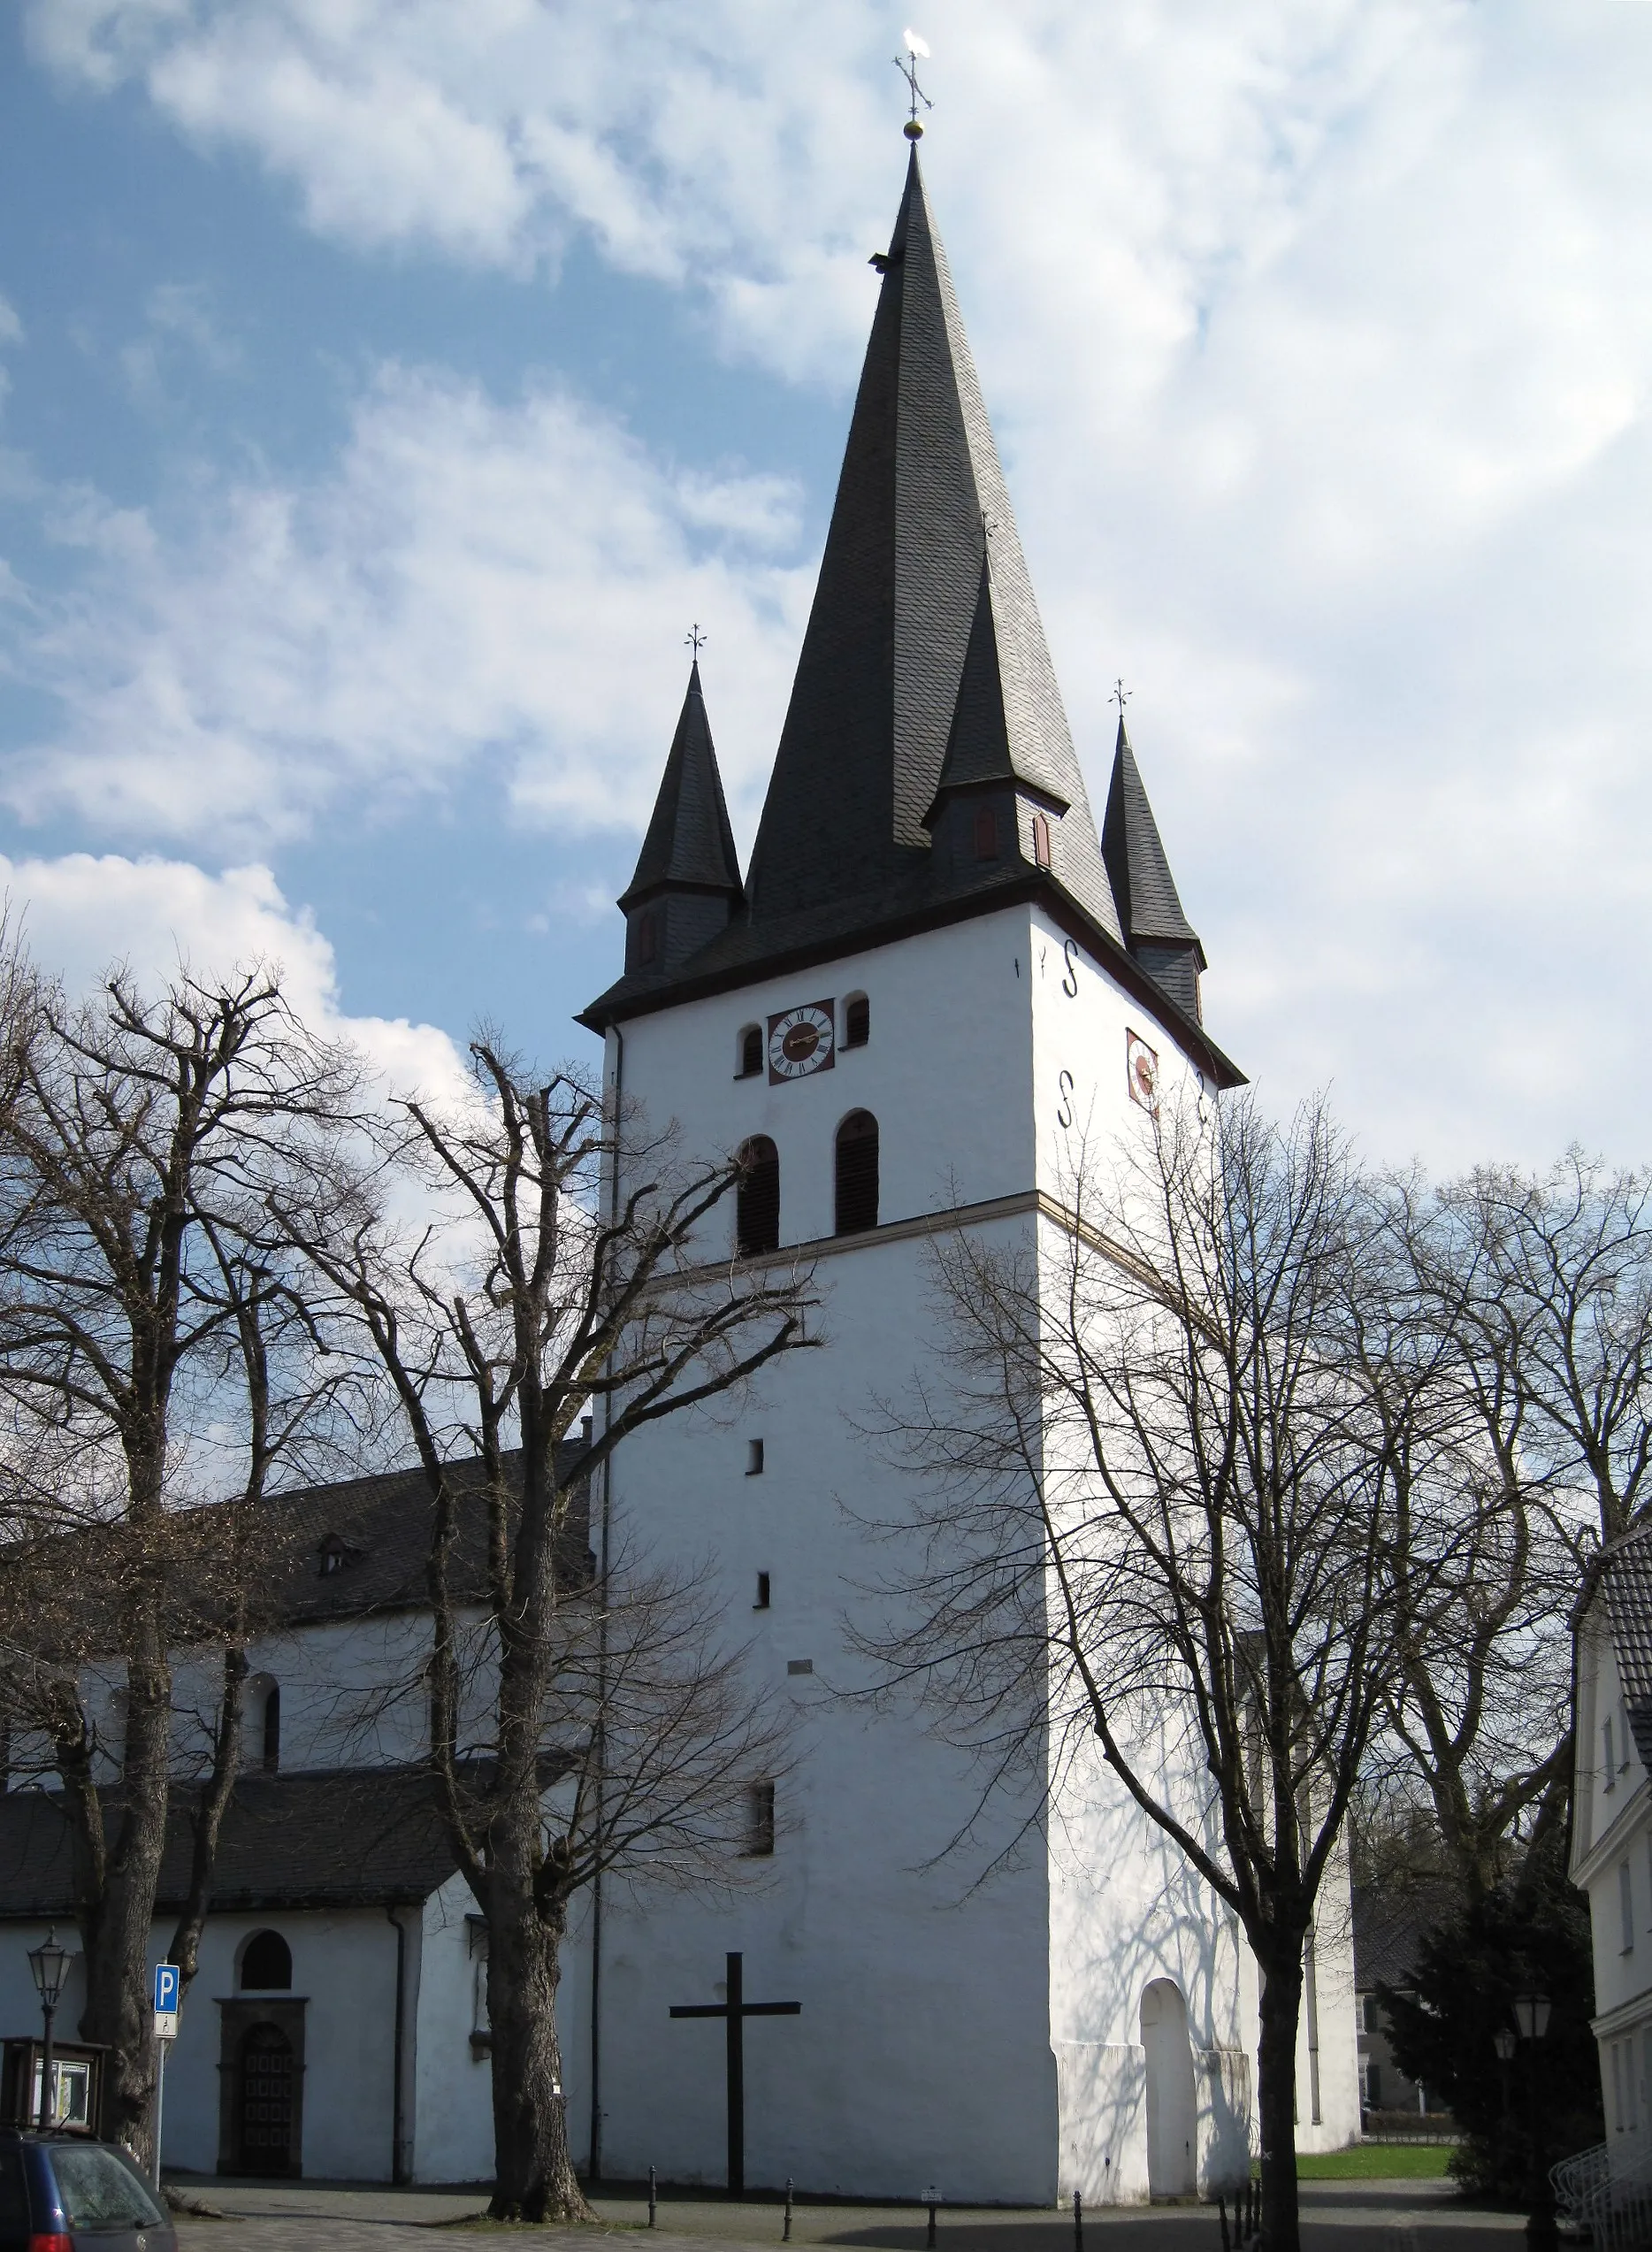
(922, 503)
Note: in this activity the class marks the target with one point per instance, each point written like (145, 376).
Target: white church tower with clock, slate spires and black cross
(931, 972)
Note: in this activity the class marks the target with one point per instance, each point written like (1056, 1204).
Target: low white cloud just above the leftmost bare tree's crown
(80, 913)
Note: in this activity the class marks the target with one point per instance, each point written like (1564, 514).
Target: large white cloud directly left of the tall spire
(474, 582)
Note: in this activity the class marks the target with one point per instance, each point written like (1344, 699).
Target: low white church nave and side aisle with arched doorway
(339, 2021)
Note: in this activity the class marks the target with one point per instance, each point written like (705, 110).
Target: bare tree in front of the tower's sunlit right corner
(1156, 1505)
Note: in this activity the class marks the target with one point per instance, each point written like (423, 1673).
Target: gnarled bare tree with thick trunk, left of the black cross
(582, 1719)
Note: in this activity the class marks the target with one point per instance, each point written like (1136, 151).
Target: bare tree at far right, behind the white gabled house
(1532, 1303)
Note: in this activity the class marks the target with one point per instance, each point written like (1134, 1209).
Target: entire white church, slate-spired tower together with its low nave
(935, 978)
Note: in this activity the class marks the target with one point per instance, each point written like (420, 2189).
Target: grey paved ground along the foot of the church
(321, 2217)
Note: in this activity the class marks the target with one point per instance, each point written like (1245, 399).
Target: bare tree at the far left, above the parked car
(154, 1343)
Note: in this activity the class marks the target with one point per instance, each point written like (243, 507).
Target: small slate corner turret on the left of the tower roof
(688, 879)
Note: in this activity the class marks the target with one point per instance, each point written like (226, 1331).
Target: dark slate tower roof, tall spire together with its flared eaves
(922, 569)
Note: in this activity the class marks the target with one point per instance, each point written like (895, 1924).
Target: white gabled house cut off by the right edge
(1613, 1823)
